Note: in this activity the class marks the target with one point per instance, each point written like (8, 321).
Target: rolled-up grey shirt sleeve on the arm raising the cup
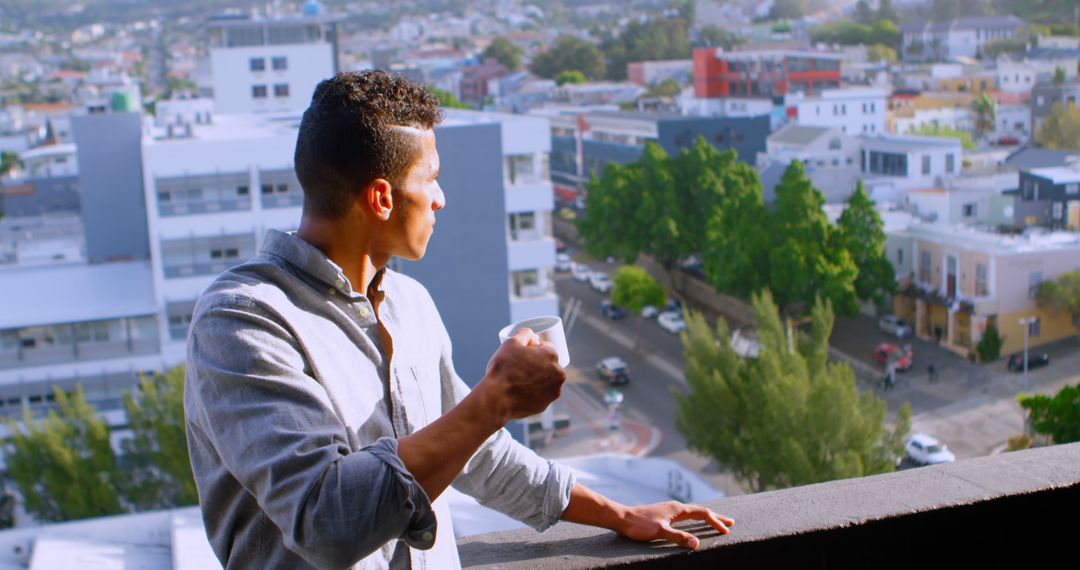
(263, 422)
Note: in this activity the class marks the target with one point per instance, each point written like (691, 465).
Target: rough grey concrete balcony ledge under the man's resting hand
(983, 510)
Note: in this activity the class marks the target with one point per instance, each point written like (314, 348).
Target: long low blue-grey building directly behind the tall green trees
(583, 144)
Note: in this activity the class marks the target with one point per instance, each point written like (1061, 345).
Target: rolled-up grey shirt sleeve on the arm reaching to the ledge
(504, 474)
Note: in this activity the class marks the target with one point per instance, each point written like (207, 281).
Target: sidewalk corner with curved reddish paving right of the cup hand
(589, 431)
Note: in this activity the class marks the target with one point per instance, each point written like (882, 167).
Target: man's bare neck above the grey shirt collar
(347, 245)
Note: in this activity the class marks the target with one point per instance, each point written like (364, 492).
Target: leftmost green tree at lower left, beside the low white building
(64, 465)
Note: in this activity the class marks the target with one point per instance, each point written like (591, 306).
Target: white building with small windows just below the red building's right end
(853, 111)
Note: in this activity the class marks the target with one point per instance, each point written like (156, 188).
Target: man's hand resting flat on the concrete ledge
(649, 523)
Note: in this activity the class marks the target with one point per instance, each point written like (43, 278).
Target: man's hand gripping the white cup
(523, 377)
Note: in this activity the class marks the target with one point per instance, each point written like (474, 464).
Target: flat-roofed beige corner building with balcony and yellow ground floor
(960, 280)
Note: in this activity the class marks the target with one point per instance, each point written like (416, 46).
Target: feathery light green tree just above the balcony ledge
(789, 417)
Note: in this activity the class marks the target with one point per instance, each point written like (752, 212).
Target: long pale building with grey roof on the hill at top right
(961, 37)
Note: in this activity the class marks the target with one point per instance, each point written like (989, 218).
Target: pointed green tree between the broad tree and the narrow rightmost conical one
(807, 257)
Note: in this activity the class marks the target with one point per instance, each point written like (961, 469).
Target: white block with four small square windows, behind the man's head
(271, 65)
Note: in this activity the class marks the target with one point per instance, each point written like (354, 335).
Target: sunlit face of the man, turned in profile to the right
(416, 199)
